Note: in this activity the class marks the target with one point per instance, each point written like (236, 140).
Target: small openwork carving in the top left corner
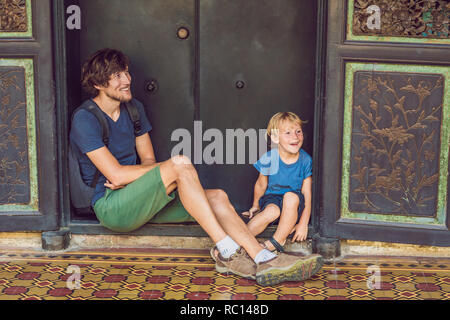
(13, 16)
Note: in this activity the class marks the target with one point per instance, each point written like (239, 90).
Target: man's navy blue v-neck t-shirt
(86, 136)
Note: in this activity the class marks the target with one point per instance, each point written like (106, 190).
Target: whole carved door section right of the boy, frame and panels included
(386, 118)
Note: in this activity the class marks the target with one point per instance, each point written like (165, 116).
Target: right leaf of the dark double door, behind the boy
(270, 47)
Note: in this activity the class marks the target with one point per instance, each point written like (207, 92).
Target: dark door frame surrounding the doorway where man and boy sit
(193, 230)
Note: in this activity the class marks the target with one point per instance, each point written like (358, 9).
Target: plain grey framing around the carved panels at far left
(38, 48)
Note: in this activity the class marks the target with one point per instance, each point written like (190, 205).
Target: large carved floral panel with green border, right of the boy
(395, 143)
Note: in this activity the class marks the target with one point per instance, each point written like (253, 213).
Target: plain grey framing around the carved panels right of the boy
(340, 51)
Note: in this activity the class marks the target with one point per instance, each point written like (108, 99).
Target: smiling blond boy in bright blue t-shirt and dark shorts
(283, 189)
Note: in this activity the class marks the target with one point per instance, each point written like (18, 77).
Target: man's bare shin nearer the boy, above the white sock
(233, 225)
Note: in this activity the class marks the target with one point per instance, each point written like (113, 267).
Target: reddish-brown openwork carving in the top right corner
(405, 18)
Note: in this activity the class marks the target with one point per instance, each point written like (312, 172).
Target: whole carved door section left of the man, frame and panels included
(28, 168)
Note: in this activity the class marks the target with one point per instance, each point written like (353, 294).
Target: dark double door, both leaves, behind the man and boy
(227, 64)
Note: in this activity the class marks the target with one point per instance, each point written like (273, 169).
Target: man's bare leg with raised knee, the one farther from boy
(178, 172)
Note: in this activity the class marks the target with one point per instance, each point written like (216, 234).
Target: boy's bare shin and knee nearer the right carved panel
(289, 214)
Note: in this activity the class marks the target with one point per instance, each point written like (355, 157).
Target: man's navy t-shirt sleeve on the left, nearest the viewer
(86, 132)
